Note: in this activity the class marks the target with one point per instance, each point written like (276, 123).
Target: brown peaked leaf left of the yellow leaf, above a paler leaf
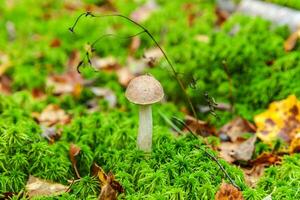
(237, 128)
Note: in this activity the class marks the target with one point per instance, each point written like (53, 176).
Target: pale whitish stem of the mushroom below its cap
(144, 140)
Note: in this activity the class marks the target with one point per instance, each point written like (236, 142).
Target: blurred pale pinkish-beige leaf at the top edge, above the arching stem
(144, 12)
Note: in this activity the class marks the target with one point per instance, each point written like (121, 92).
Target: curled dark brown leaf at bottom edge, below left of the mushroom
(109, 186)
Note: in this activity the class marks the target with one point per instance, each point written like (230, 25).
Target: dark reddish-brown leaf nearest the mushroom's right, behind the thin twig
(199, 127)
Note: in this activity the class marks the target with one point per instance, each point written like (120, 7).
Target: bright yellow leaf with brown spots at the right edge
(281, 120)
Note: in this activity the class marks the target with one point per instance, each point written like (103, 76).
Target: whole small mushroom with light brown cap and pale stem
(144, 90)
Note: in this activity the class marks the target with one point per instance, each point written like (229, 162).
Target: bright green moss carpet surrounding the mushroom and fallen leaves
(259, 68)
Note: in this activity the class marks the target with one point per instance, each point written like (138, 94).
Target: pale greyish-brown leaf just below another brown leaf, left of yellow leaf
(238, 151)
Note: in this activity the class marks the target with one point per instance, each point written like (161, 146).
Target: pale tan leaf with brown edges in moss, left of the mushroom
(52, 115)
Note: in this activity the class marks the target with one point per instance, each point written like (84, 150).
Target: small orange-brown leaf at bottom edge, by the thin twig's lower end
(228, 192)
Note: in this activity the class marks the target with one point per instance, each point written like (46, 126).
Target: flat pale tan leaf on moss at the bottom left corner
(39, 187)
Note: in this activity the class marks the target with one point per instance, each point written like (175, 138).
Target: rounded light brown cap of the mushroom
(144, 90)
